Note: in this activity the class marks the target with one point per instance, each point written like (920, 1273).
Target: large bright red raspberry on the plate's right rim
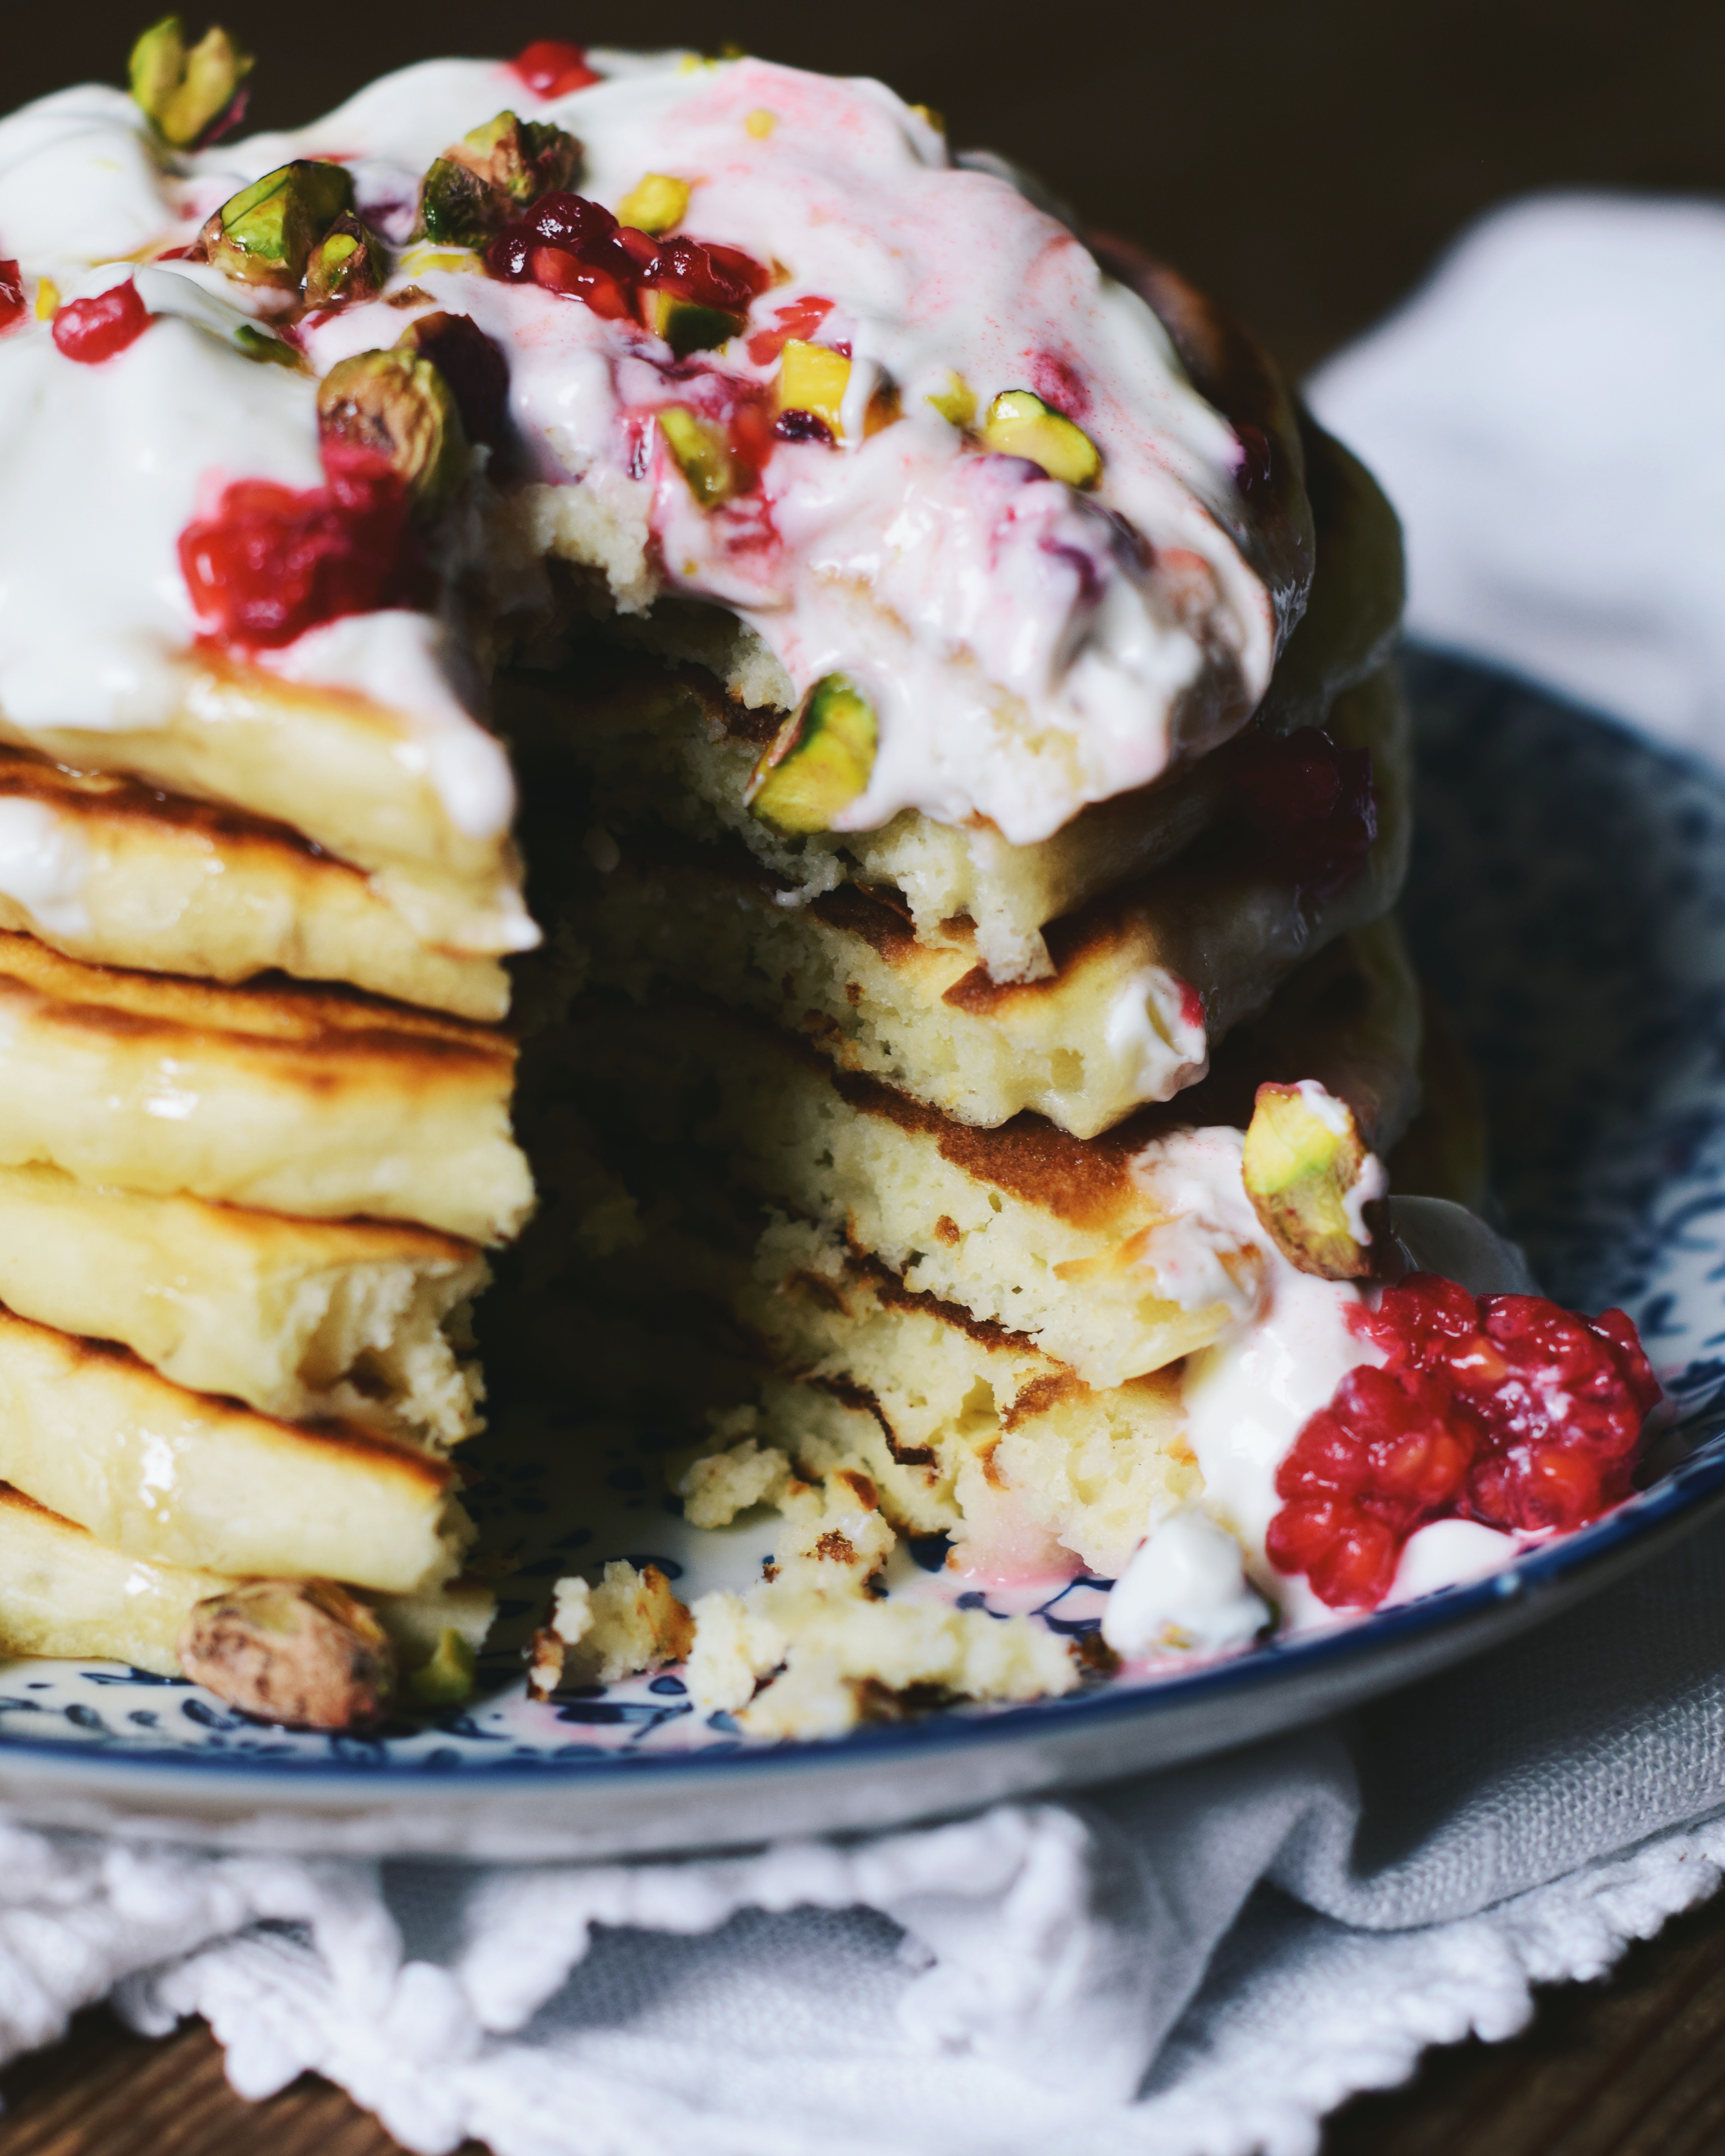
(1498, 1409)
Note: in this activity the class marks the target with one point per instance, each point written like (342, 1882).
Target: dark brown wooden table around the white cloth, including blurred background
(1306, 163)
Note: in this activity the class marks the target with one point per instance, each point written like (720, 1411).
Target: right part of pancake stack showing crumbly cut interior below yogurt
(861, 1135)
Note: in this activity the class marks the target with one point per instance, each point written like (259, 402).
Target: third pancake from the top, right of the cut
(1025, 1228)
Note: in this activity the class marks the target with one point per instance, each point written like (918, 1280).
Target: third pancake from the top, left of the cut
(284, 1098)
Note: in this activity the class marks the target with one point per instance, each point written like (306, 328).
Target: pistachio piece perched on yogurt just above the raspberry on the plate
(1308, 1174)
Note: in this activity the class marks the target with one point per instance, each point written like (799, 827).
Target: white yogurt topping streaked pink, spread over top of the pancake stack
(1027, 648)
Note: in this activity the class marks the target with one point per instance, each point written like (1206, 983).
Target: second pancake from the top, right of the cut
(1146, 980)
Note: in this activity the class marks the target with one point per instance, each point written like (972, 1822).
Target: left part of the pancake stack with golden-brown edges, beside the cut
(256, 1137)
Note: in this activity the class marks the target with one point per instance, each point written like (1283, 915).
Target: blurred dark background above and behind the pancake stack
(1303, 158)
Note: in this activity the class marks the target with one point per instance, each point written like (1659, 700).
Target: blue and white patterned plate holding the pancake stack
(1569, 902)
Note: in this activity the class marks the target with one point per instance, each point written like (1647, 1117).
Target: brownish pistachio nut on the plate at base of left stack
(299, 1653)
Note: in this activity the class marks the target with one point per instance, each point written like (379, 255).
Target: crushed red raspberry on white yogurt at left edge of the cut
(277, 562)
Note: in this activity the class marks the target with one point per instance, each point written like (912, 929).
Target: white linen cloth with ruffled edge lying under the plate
(1193, 1965)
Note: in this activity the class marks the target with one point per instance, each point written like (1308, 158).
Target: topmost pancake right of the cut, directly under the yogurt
(667, 745)
